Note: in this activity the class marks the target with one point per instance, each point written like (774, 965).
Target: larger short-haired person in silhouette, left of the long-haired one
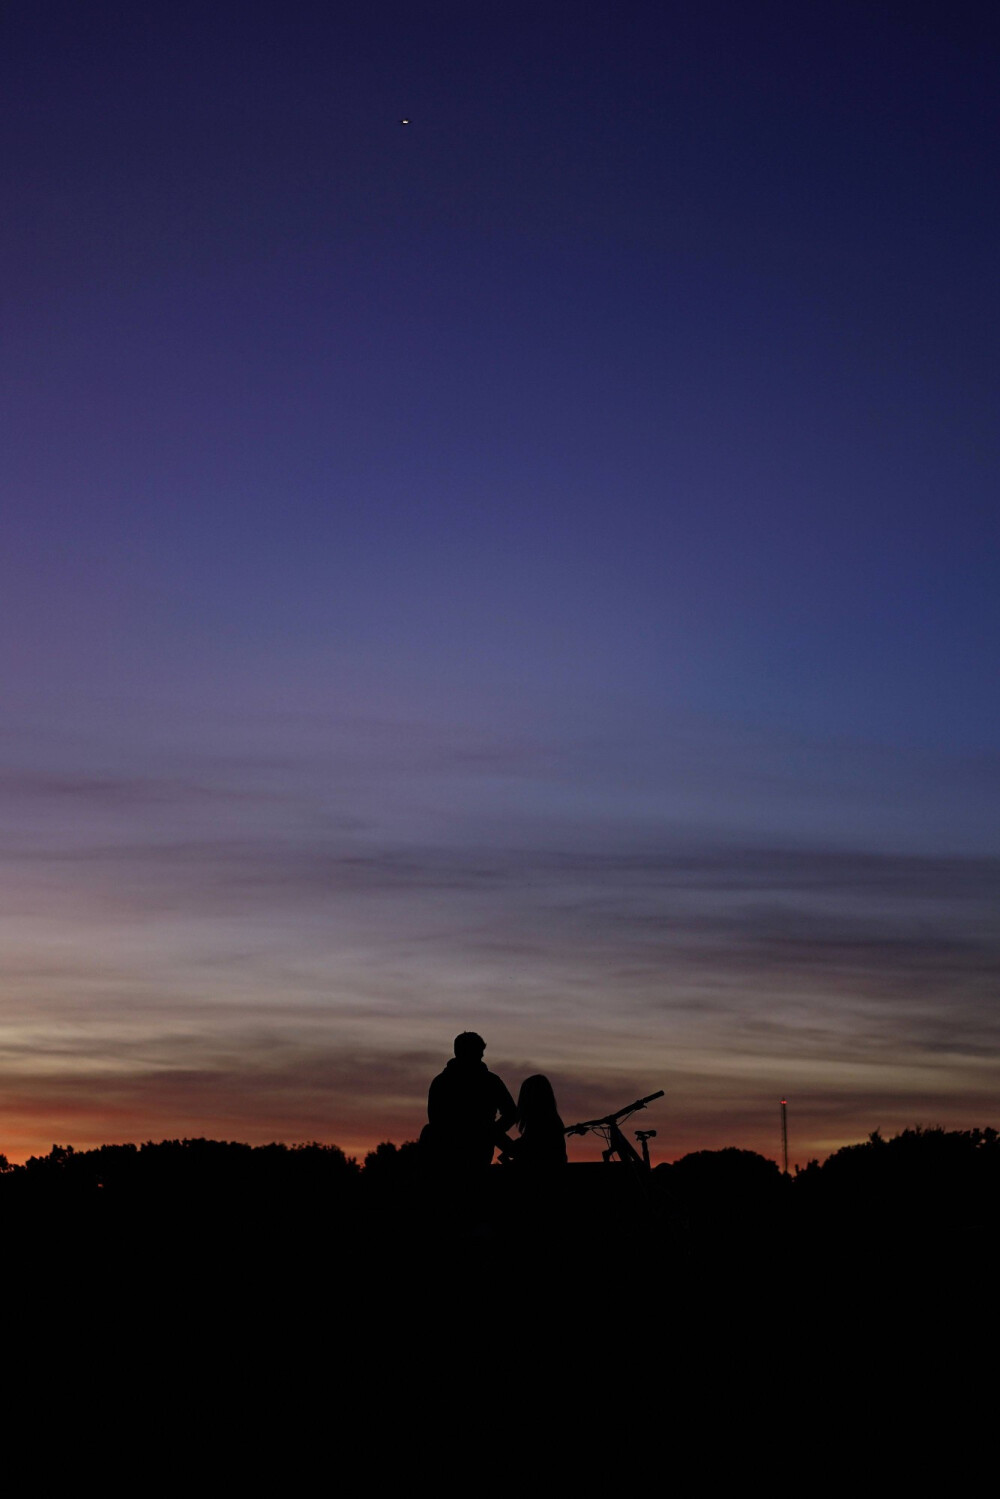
(469, 1110)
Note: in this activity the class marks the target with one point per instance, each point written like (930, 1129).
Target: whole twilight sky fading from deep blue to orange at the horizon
(530, 570)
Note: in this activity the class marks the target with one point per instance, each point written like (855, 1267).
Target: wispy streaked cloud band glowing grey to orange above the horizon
(229, 933)
